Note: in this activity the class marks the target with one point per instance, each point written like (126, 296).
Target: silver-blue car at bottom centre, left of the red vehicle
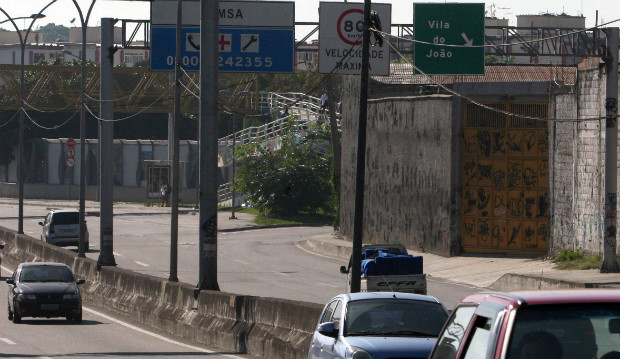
(378, 325)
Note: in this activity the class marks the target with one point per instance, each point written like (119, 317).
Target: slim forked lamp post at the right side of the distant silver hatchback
(84, 24)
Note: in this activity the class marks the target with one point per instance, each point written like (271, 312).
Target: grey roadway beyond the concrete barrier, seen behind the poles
(261, 262)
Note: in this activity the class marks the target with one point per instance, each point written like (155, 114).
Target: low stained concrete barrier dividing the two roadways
(260, 327)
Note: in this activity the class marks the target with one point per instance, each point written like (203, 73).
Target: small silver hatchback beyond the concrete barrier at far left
(62, 228)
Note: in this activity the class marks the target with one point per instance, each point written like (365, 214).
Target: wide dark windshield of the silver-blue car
(394, 317)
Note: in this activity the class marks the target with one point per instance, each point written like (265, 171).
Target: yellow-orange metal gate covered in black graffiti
(505, 202)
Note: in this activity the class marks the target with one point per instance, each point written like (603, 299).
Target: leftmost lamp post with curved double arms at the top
(20, 151)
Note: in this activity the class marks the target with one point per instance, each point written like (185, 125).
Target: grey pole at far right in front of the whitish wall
(610, 263)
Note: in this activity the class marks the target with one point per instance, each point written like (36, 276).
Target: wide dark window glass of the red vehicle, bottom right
(569, 331)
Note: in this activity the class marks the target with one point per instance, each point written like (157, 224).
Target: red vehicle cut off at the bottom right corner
(557, 324)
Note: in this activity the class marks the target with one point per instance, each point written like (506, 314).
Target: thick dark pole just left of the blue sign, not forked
(106, 145)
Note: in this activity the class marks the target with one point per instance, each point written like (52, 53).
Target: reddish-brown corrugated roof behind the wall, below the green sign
(403, 74)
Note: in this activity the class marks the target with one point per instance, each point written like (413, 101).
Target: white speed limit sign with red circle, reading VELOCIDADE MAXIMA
(341, 26)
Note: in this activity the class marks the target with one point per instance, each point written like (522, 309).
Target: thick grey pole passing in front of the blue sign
(209, 23)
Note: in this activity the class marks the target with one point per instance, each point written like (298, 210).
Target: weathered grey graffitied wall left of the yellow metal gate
(408, 159)
